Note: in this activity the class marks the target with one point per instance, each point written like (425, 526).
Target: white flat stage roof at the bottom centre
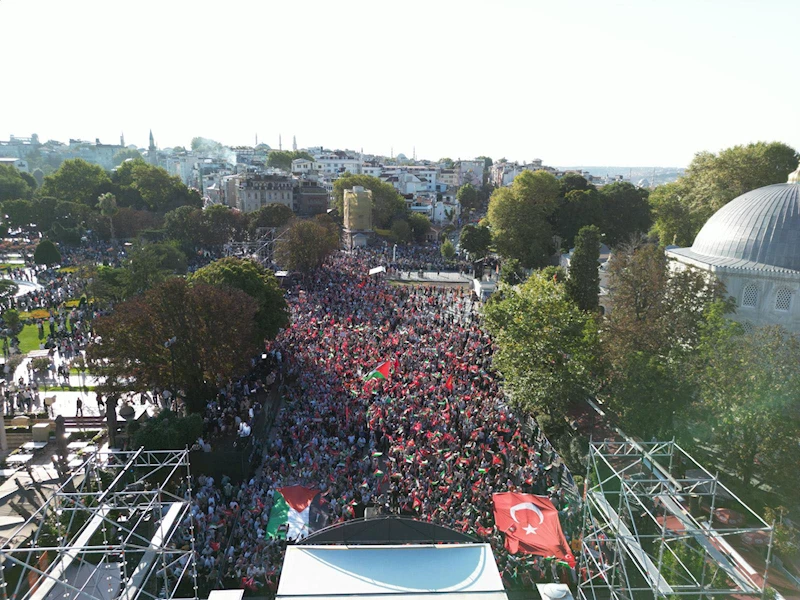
(448, 571)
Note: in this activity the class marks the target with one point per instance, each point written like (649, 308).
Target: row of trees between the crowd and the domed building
(666, 360)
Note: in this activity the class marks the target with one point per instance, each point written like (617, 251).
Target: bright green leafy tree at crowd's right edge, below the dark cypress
(545, 346)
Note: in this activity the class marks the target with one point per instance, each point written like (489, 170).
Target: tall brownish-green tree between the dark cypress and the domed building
(652, 337)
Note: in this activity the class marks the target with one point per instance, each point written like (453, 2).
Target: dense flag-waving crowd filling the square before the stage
(434, 440)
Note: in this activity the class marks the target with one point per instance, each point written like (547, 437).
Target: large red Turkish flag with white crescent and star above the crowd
(531, 525)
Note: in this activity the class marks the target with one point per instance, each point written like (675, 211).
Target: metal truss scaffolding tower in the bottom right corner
(656, 524)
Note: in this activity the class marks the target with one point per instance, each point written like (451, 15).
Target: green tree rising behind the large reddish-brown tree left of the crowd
(257, 282)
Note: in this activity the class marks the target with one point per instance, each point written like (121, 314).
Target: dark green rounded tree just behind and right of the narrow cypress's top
(625, 212)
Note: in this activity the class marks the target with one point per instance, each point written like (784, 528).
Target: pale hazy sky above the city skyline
(572, 82)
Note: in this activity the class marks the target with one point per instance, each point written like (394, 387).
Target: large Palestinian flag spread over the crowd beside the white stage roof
(296, 512)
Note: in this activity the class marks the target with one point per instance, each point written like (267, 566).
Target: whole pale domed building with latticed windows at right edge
(752, 244)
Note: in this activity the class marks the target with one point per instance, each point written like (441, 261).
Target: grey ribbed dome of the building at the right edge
(762, 226)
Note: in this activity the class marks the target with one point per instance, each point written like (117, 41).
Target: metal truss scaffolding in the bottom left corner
(110, 531)
